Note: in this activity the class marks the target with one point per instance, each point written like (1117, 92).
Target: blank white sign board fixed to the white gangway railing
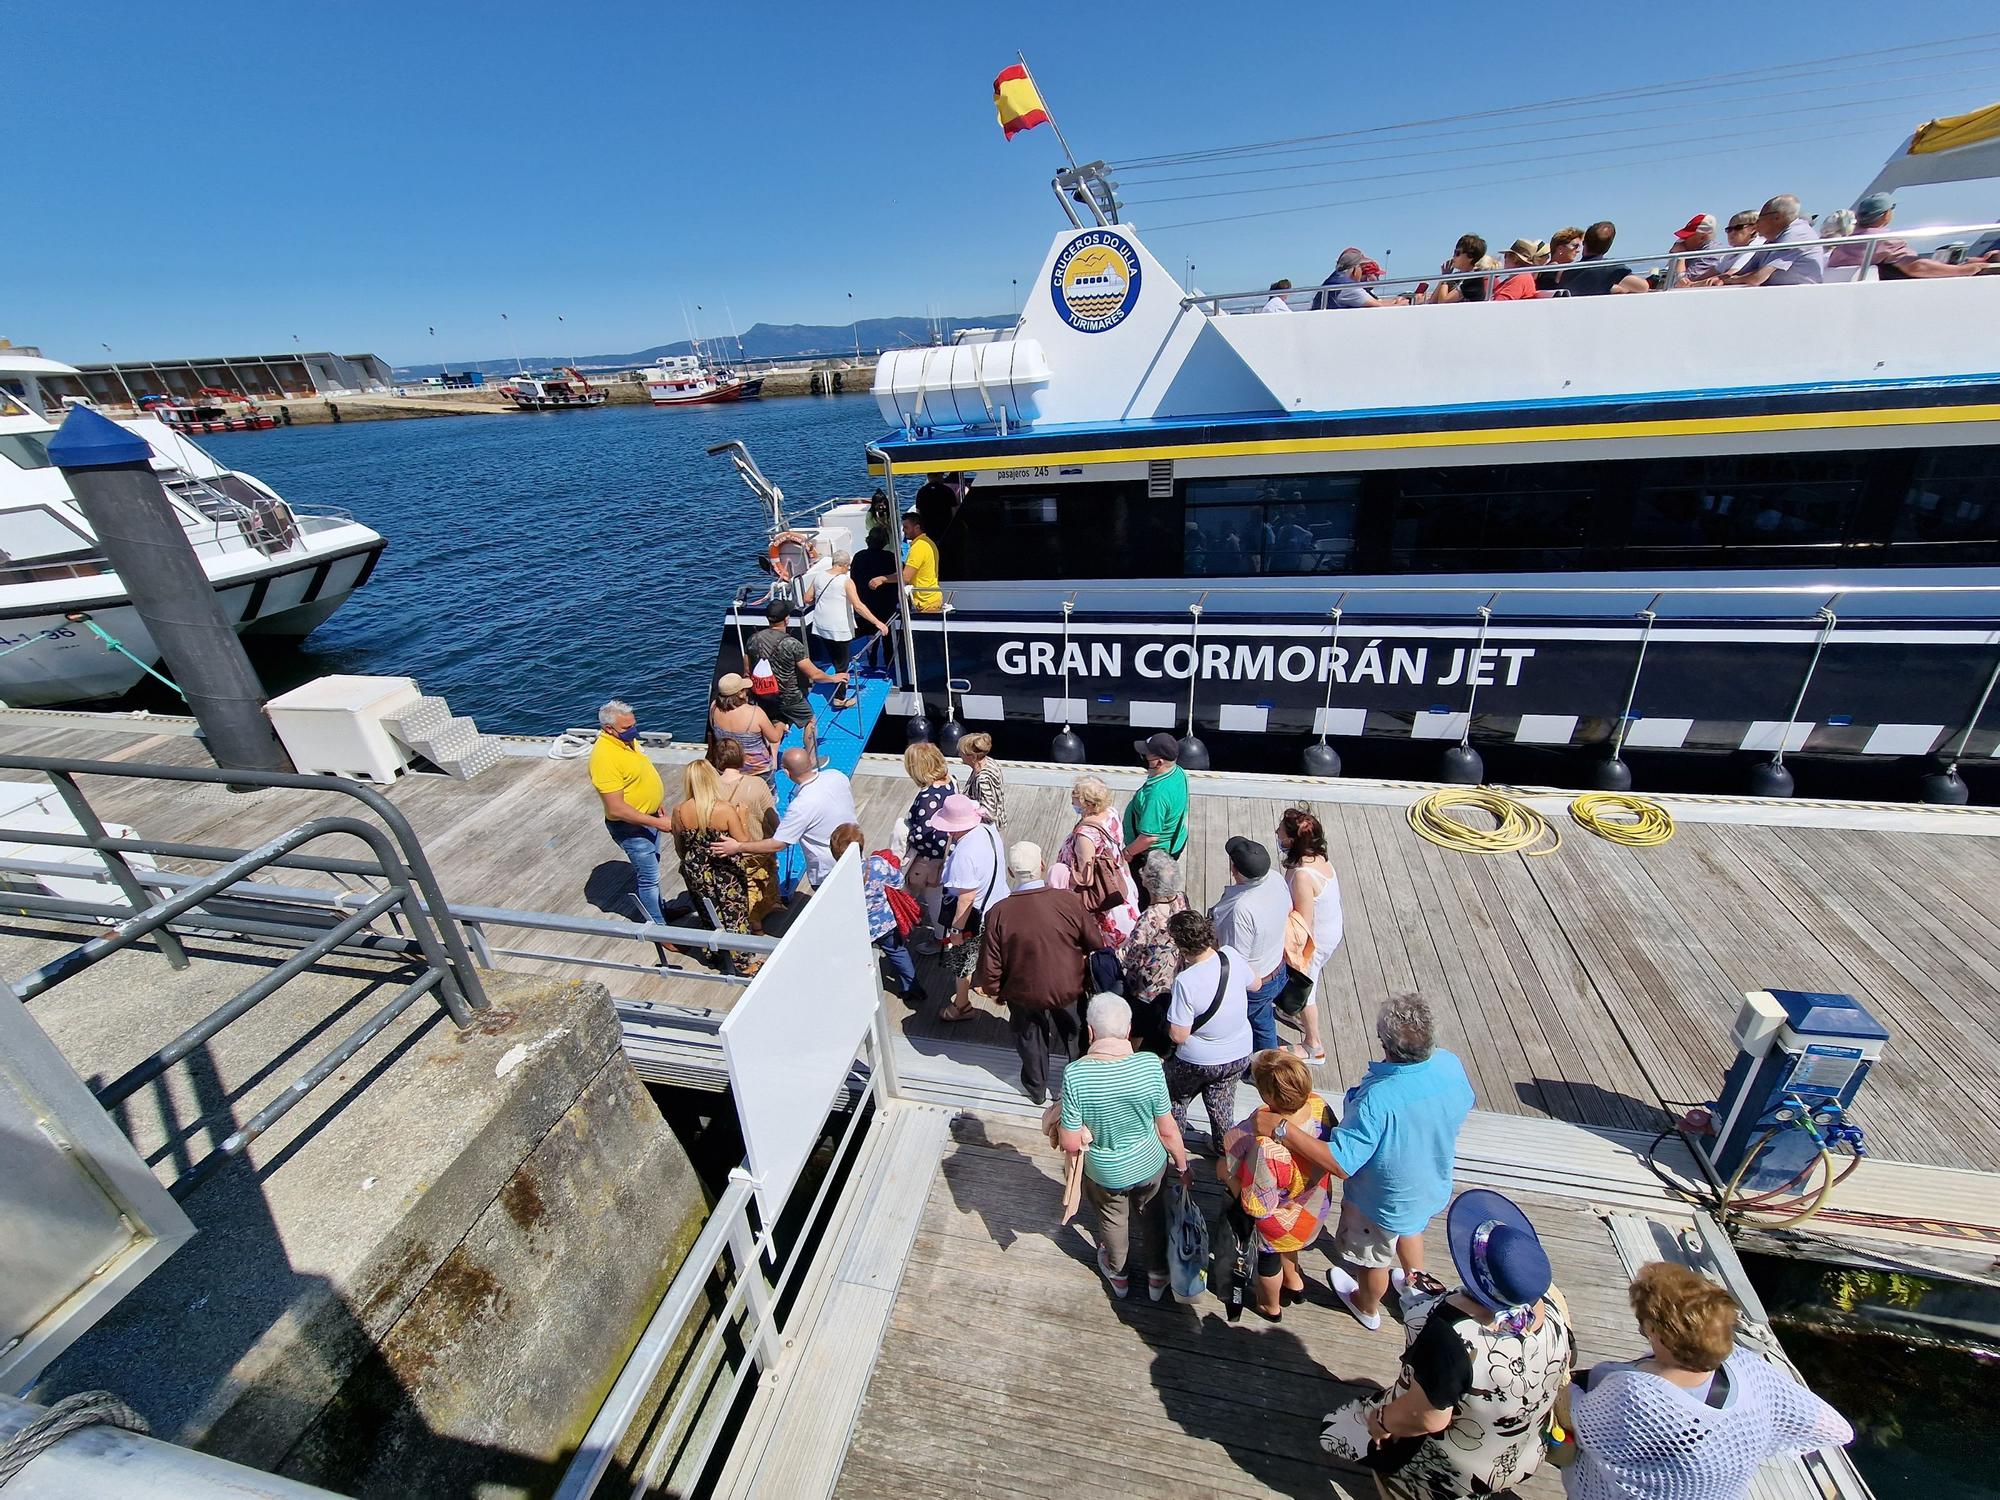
(797, 1031)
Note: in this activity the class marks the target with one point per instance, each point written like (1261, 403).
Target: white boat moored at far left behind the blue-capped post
(279, 569)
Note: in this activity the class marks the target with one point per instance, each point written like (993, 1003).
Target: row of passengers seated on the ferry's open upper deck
(1759, 247)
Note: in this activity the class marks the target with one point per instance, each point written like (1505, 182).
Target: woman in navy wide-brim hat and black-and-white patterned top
(1481, 1369)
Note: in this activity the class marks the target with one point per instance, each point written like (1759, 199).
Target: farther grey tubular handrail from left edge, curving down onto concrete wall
(463, 977)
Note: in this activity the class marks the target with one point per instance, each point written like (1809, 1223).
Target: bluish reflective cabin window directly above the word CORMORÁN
(1271, 525)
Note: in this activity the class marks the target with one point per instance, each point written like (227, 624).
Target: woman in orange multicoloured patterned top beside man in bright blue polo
(1285, 1199)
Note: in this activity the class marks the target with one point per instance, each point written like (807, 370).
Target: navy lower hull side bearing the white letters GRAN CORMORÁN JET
(1265, 685)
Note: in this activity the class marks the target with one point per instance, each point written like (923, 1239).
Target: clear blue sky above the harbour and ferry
(357, 173)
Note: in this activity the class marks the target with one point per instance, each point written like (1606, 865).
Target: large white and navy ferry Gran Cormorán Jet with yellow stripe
(1459, 527)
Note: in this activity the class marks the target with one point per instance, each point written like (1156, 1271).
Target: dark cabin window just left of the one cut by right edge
(1749, 501)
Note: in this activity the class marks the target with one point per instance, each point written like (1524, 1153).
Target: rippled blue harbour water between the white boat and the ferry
(543, 563)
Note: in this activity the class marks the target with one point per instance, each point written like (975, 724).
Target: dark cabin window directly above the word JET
(1509, 515)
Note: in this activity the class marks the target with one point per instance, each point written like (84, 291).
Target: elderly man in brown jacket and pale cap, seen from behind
(1035, 959)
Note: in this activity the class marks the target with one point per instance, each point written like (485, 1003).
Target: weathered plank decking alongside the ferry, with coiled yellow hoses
(1587, 987)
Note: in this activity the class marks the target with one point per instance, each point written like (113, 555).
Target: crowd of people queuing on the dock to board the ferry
(1489, 1381)
